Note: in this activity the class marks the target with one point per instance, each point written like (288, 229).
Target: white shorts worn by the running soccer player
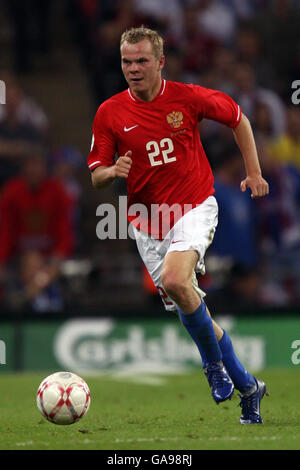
(193, 231)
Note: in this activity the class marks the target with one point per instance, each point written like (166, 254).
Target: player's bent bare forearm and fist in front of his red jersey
(104, 176)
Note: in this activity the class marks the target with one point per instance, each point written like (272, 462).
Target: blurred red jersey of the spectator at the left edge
(34, 219)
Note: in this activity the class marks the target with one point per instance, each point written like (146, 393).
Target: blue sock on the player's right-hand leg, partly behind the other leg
(240, 377)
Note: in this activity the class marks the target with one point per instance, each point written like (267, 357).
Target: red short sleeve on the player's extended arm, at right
(217, 106)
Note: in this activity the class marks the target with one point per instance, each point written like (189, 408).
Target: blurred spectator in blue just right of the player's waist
(236, 236)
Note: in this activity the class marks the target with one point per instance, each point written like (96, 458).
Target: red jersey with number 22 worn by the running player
(169, 165)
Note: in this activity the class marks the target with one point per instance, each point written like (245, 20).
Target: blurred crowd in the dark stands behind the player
(59, 60)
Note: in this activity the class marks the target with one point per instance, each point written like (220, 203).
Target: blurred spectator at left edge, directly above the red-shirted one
(22, 128)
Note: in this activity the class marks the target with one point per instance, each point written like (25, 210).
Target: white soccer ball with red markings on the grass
(63, 398)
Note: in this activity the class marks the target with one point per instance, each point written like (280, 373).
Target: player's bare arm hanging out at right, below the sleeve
(245, 140)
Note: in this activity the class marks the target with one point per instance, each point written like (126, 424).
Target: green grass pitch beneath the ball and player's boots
(177, 414)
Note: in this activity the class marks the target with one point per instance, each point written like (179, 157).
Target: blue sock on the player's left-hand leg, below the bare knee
(200, 327)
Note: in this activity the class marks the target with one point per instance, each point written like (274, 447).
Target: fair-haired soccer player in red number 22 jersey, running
(152, 127)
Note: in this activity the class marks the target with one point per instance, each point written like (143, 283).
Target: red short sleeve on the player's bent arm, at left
(103, 145)
